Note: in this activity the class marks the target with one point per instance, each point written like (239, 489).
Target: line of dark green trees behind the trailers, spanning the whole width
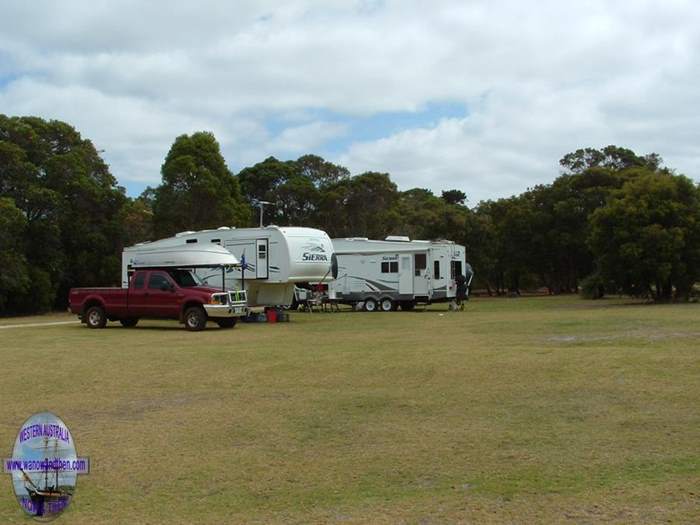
(613, 221)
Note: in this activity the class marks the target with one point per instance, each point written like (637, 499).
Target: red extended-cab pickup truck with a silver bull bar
(159, 294)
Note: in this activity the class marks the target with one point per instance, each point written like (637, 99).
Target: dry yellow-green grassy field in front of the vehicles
(515, 410)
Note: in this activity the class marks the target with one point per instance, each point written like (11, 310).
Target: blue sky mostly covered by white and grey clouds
(481, 96)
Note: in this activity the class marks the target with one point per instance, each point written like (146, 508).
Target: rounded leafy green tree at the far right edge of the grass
(646, 240)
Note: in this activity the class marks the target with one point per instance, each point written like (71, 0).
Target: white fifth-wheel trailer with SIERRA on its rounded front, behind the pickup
(272, 259)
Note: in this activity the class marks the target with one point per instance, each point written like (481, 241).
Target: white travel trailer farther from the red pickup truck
(396, 272)
